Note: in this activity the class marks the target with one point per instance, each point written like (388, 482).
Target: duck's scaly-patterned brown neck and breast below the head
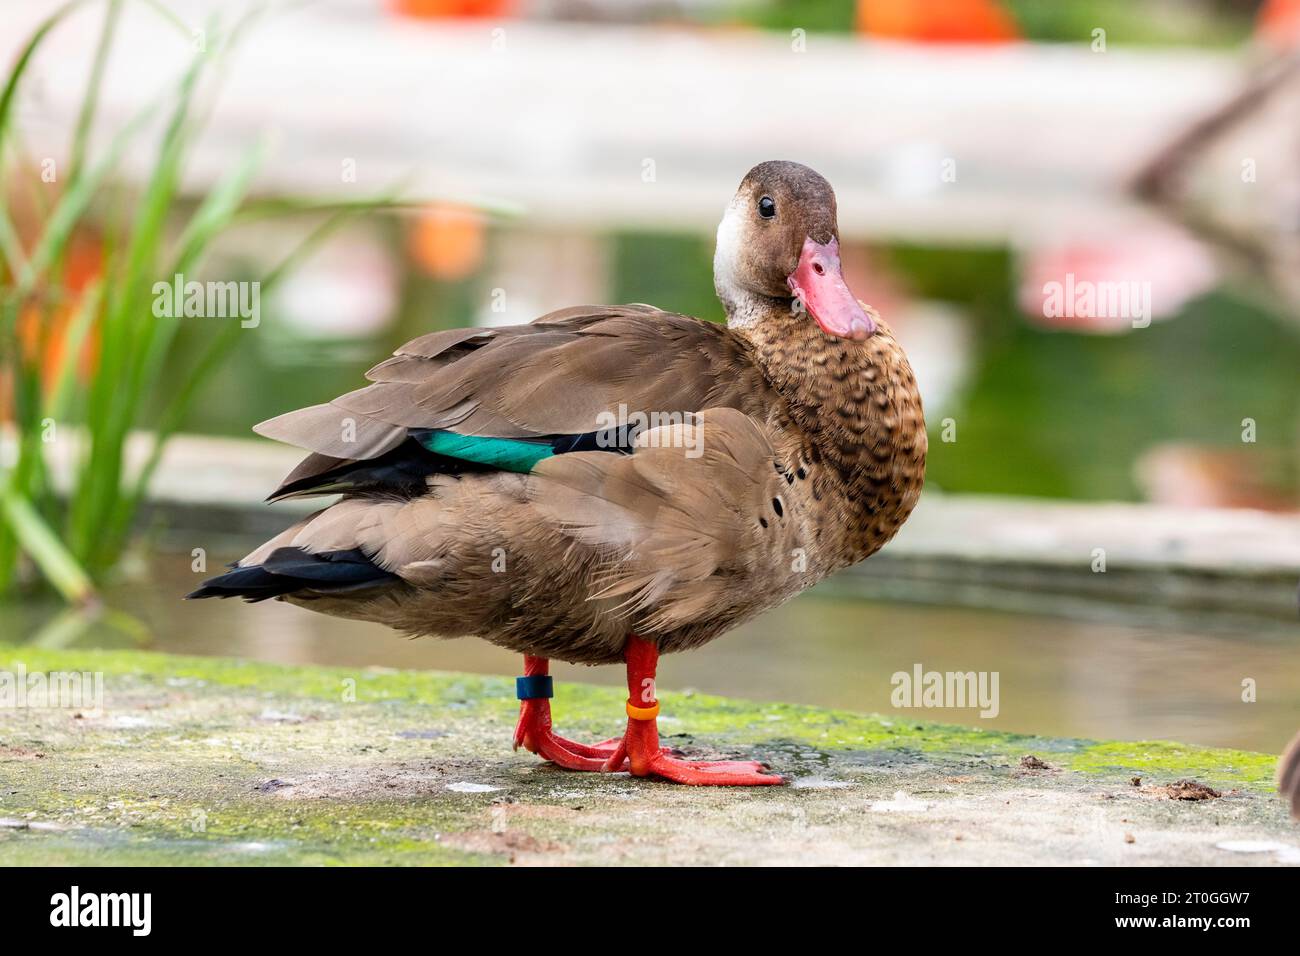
(857, 409)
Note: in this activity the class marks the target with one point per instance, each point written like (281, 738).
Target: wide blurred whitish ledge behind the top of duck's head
(653, 128)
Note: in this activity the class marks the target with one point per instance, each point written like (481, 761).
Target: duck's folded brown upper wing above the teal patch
(562, 375)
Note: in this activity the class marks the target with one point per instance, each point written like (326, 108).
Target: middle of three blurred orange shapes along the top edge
(928, 21)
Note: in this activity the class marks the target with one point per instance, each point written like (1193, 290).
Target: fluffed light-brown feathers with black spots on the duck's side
(699, 518)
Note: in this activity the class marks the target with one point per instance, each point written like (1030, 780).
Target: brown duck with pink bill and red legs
(608, 485)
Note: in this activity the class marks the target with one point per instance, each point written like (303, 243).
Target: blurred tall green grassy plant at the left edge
(92, 354)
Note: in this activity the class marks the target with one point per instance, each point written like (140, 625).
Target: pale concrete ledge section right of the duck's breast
(1046, 556)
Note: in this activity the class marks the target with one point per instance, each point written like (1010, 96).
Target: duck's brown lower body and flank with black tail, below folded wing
(683, 538)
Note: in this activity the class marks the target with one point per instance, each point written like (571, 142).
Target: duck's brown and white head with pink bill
(779, 245)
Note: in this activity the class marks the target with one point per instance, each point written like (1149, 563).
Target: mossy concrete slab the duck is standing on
(198, 762)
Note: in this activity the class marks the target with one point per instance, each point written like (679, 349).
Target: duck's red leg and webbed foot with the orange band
(640, 751)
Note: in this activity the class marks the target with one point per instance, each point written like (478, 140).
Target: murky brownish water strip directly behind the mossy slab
(1056, 677)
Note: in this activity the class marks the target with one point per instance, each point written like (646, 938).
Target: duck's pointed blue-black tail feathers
(288, 570)
